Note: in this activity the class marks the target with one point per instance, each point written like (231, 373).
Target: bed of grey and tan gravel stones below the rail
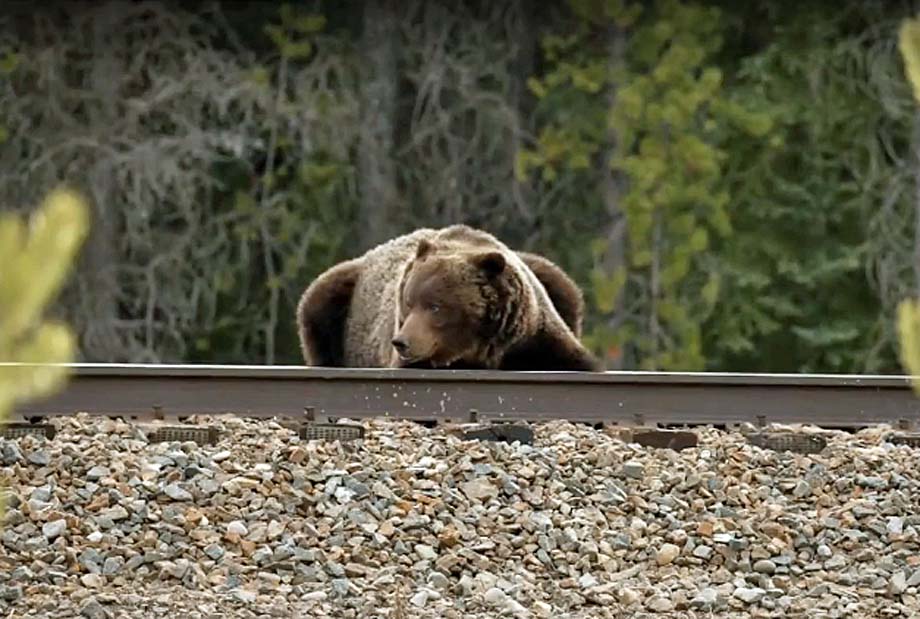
(414, 522)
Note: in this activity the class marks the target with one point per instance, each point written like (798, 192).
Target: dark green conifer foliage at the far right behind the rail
(796, 295)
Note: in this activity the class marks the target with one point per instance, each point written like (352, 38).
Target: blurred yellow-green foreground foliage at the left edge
(36, 259)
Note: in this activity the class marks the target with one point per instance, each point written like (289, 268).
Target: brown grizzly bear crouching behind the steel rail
(453, 298)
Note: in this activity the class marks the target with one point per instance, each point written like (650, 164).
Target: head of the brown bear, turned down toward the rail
(456, 307)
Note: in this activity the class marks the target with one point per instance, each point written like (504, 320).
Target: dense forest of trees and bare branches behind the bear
(734, 185)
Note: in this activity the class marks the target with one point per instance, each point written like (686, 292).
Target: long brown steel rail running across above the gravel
(627, 398)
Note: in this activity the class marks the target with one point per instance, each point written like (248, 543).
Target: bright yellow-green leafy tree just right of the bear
(666, 130)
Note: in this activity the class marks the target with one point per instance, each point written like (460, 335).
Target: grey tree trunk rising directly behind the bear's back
(379, 205)
